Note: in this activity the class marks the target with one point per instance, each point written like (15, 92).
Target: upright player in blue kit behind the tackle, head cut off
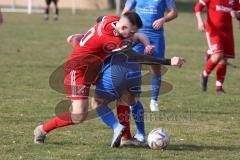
(152, 15)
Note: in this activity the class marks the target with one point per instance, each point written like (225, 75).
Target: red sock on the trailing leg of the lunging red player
(60, 121)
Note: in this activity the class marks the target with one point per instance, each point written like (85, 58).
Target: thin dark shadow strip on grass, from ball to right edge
(194, 147)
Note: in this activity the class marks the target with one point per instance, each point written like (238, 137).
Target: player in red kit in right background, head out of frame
(219, 34)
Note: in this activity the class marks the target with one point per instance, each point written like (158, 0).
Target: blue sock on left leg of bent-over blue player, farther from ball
(106, 115)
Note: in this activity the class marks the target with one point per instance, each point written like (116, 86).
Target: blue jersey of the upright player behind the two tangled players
(150, 10)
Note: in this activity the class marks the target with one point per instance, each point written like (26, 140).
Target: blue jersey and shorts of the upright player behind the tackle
(150, 11)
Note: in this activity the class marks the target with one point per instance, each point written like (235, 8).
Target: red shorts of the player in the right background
(221, 42)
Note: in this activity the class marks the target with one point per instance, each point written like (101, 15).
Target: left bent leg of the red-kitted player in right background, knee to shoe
(210, 65)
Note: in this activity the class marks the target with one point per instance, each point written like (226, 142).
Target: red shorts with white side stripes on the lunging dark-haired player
(80, 74)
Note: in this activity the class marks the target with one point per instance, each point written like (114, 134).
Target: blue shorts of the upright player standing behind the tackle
(155, 39)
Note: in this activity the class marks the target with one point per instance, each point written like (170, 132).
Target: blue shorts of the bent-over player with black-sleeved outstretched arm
(118, 75)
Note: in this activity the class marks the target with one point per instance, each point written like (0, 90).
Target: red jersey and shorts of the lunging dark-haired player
(83, 66)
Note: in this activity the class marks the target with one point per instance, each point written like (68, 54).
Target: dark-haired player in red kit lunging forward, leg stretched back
(84, 64)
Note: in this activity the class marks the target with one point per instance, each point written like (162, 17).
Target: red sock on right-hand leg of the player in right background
(221, 71)
